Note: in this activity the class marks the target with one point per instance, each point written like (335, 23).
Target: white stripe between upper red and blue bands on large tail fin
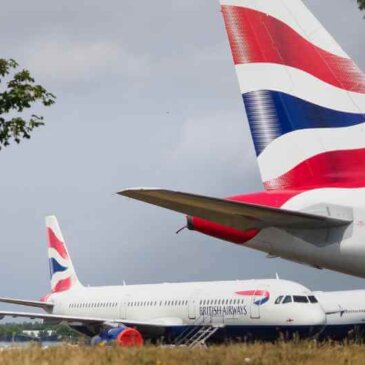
(289, 80)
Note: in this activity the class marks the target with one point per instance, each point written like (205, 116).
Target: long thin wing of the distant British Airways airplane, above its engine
(55, 318)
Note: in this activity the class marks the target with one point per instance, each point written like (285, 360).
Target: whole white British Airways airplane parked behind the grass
(183, 313)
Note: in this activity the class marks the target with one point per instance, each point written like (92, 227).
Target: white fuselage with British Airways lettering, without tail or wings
(238, 307)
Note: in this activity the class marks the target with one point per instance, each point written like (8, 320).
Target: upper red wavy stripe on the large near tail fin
(257, 37)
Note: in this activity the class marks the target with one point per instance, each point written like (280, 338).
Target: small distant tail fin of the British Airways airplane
(63, 275)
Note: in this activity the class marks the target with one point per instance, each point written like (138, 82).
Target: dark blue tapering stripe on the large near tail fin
(272, 114)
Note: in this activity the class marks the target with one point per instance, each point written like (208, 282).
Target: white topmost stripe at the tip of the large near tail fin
(297, 16)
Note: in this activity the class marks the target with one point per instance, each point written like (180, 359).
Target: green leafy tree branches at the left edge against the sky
(18, 94)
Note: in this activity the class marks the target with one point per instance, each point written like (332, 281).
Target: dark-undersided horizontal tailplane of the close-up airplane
(232, 214)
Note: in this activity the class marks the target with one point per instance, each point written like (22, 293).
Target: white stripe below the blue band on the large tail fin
(289, 150)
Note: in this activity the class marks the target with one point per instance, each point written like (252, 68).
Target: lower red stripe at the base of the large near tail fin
(342, 169)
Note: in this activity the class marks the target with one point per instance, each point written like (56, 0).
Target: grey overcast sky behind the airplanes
(146, 96)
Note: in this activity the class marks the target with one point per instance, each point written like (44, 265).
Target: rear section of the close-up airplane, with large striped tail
(305, 103)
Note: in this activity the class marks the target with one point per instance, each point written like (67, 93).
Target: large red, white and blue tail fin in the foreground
(304, 97)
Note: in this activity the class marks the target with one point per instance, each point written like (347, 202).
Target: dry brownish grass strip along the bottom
(255, 354)
